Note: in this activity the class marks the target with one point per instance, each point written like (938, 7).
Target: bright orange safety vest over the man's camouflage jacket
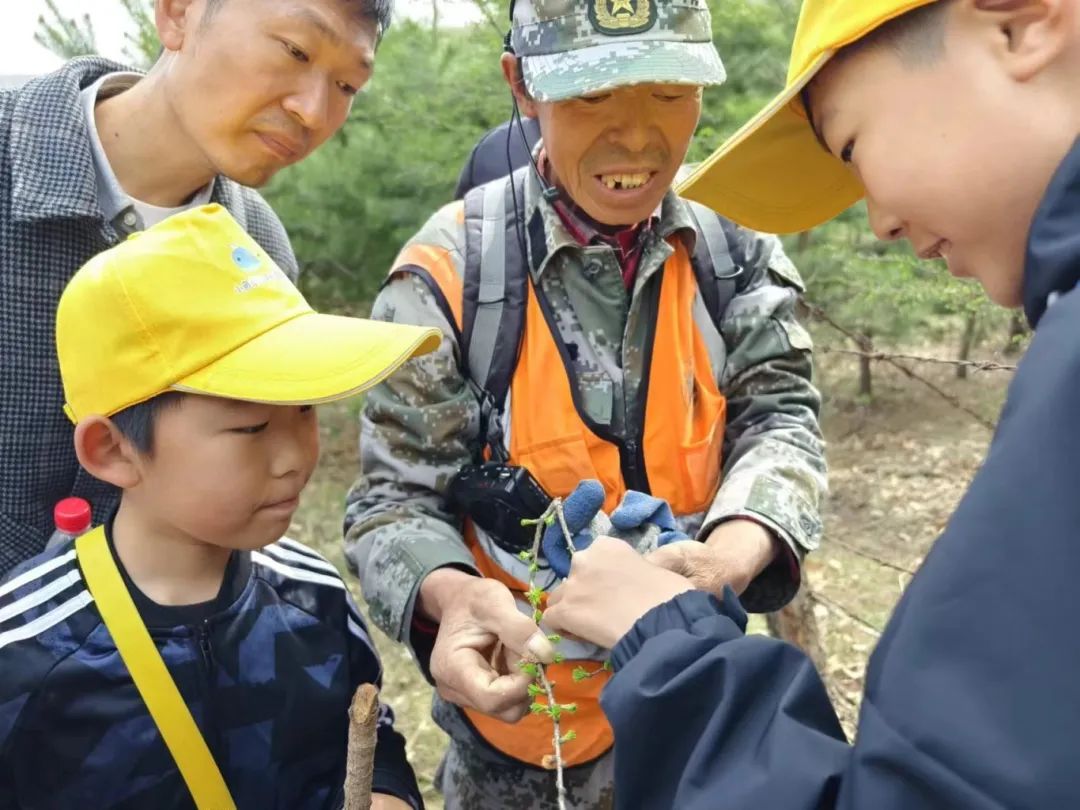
(685, 421)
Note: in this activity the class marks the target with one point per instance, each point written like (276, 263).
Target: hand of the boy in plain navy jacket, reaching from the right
(611, 587)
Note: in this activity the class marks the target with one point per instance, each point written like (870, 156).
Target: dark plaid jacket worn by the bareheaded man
(51, 224)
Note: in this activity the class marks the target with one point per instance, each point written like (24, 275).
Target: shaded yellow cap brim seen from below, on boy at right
(774, 175)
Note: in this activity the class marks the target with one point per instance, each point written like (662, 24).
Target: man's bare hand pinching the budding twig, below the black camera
(482, 636)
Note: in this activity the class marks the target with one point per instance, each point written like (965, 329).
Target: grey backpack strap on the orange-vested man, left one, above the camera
(496, 292)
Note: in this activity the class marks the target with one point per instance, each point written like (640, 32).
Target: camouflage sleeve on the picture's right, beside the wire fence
(774, 453)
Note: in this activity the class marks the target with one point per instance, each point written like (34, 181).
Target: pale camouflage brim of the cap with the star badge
(573, 74)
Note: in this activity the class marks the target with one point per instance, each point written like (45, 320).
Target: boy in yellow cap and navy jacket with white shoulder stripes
(187, 652)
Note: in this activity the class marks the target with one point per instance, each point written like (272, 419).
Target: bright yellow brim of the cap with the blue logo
(313, 359)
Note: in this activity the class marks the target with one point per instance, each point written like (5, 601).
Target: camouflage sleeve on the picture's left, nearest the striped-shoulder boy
(415, 435)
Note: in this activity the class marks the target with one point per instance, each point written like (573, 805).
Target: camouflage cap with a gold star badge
(574, 48)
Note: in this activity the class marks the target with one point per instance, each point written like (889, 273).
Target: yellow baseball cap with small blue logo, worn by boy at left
(195, 305)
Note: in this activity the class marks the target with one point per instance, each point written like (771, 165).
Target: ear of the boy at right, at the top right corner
(1031, 34)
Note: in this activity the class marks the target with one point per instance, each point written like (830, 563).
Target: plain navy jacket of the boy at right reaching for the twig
(974, 694)
